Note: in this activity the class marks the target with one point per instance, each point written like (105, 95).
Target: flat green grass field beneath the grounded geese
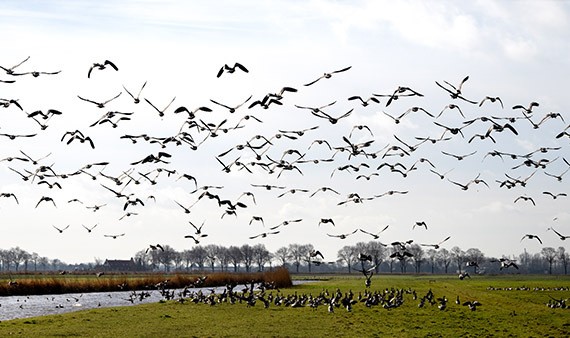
(512, 305)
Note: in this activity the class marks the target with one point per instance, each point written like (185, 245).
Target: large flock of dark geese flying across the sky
(264, 154)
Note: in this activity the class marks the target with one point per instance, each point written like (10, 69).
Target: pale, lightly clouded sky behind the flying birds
(514, 50)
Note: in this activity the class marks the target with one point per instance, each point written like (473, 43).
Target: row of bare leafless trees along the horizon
(302, 258)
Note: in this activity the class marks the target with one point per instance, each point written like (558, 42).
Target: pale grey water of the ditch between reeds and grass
(14, 307)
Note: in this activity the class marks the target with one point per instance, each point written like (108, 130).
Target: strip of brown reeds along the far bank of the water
(69, 283)
